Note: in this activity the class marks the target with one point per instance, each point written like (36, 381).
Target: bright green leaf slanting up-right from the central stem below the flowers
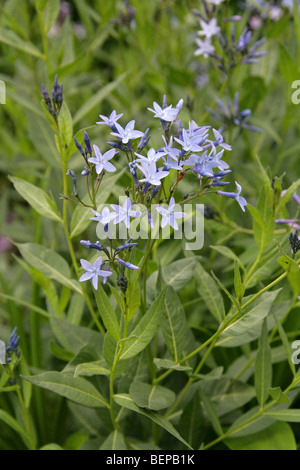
(145, 329)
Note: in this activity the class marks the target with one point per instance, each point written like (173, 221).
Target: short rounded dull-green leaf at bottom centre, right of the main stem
(154, 397)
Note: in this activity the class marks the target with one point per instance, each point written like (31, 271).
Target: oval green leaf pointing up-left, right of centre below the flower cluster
(210, 293)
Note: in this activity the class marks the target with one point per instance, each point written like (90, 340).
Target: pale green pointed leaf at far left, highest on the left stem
(37, 198)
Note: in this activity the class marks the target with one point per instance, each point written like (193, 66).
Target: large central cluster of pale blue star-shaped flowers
(197, 150)
